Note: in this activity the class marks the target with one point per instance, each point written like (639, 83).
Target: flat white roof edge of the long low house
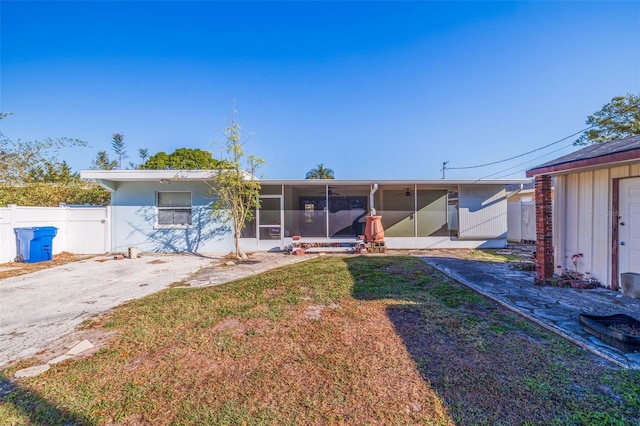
(105, 177)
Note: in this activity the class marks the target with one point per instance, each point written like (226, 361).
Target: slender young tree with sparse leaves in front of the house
(236, 189)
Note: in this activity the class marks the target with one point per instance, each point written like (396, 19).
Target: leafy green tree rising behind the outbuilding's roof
(618, 119)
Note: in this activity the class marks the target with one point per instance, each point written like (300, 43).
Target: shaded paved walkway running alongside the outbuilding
(554, 308)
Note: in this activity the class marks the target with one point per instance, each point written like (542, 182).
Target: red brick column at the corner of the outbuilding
(544, 228)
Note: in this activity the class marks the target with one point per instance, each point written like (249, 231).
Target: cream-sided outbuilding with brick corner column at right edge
(596, 212)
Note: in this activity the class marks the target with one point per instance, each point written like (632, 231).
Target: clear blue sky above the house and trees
(385, 90)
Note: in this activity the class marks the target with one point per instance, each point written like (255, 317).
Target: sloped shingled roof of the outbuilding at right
(592, 156)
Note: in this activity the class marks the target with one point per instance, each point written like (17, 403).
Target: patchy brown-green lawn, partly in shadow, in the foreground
(334, 340)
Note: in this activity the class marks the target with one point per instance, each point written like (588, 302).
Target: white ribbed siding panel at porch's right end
(482, 212)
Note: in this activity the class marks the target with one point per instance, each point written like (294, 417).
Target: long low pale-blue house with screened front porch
(170, 211)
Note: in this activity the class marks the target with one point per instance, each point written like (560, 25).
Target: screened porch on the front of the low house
(414, 214)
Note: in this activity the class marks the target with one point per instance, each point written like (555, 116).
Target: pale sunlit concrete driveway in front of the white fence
(39, 308)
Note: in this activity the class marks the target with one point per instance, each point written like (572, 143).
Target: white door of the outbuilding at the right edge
(629, 226)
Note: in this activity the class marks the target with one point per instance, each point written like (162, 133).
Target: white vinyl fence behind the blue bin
(81, 229)
